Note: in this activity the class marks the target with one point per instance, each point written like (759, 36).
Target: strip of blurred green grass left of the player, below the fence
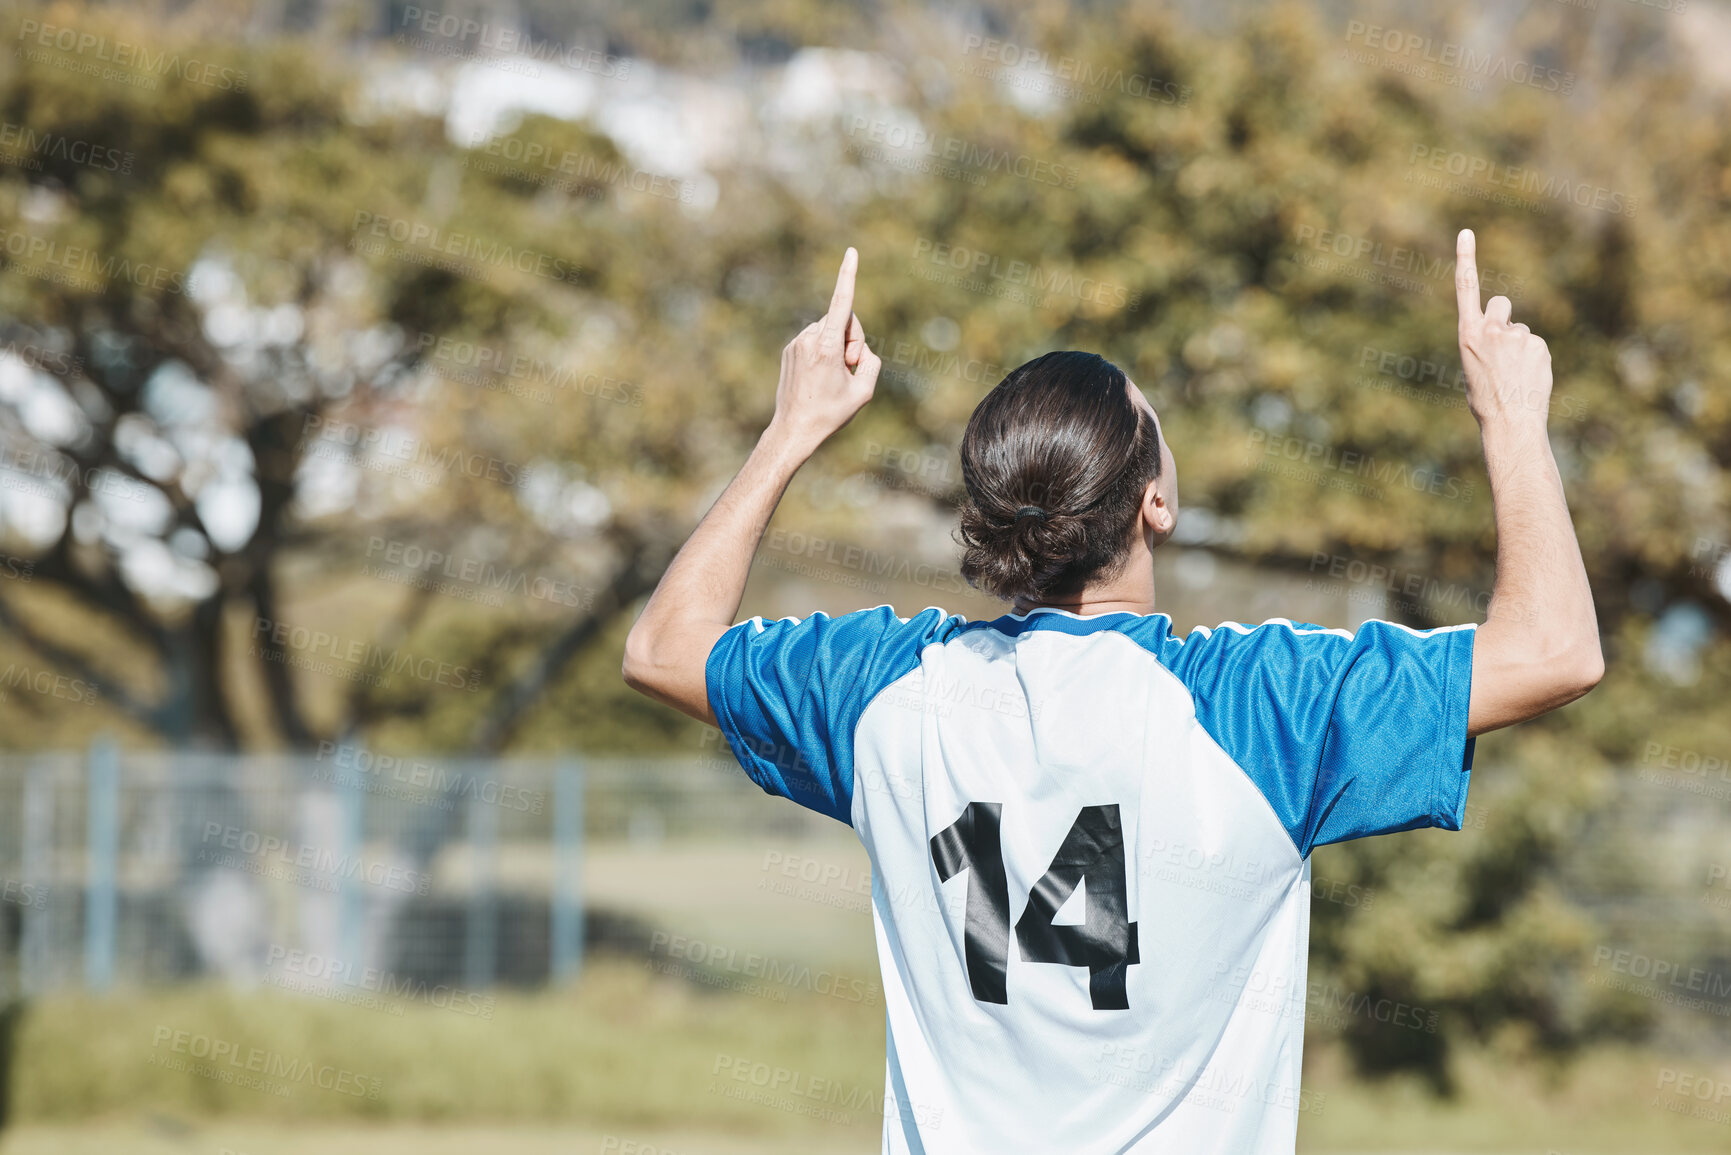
(624, 1049)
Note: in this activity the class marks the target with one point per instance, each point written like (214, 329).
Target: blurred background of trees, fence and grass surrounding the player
(363, 365)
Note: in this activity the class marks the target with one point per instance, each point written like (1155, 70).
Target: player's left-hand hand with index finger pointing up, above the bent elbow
(827, 373)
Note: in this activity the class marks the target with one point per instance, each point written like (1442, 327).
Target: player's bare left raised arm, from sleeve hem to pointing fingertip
(827, 375)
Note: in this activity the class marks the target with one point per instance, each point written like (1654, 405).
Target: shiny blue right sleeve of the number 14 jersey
(1346, 735)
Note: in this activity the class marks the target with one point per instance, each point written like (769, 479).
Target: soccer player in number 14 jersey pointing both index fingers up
(1091, 837)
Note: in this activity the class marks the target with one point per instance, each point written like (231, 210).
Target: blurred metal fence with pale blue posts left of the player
(392, 874)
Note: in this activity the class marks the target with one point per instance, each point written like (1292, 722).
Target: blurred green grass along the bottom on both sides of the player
(636, 1057)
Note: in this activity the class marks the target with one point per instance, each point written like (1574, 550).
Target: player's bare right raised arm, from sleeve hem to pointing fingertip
(1540, 645)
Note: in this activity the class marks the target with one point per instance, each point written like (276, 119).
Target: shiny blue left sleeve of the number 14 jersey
(790, 694)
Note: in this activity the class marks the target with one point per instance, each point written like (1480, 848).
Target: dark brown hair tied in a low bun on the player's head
(1055, 461)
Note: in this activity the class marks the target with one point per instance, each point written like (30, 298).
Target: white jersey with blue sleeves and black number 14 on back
(1091, 848)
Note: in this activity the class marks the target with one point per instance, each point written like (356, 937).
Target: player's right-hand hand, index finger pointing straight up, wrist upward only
(1509, 370)
